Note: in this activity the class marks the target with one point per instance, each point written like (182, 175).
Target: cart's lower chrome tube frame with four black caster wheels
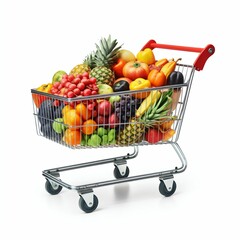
(88, 201)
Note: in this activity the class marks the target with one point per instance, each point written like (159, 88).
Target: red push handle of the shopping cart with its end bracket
(200, 61)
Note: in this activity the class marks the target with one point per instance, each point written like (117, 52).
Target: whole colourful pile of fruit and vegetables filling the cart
(130, 110)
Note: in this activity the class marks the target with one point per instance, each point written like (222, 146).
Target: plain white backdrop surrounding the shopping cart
(40, 37)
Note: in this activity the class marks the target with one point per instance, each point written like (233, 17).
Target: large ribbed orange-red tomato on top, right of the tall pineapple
(135, 69)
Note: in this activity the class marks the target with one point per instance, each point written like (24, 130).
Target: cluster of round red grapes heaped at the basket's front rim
(71, 86)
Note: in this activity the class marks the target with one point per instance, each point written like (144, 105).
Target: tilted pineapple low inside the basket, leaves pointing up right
(134, 130)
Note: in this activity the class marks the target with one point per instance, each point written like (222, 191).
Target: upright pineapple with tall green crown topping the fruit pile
(105, 56)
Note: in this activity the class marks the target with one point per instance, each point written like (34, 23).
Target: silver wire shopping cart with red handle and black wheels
(128, 131)
